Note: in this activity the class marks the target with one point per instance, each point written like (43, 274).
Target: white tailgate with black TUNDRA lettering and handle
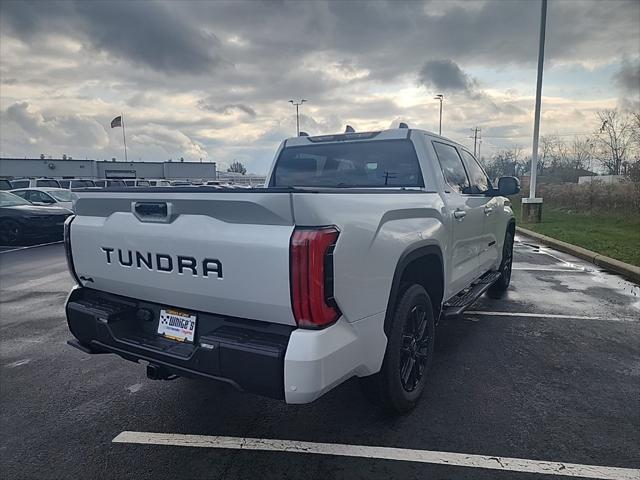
(217, 252)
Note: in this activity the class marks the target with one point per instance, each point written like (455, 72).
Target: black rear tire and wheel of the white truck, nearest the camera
(401, 380)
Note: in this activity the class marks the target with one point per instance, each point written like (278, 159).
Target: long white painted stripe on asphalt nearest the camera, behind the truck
(384, 453)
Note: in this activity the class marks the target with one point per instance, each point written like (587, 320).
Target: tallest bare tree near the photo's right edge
(614, 137)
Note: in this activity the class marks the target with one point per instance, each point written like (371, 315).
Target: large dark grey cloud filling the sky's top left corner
(151, 33)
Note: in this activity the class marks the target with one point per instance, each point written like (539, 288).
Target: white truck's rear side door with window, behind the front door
(466, 216)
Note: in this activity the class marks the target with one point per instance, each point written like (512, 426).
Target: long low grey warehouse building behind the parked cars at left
(72, 168)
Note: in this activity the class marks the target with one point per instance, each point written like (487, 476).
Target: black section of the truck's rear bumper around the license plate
(244, 353)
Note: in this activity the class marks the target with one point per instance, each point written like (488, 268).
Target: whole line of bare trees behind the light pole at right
(612, 149)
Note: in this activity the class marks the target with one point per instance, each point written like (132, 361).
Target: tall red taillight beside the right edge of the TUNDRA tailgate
(312, 277)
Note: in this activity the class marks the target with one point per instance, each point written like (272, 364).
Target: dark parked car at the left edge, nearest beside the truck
(21, 221)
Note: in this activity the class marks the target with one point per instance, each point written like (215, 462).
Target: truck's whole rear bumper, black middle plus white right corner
(274, 360)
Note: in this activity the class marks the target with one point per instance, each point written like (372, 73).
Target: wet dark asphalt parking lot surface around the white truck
(550, 373)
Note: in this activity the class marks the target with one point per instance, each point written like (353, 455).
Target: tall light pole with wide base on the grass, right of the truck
(532, 207)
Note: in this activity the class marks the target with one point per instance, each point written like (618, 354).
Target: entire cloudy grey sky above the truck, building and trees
(211, 80)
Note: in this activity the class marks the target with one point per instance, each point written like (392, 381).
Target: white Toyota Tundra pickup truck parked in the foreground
(340, 267)
